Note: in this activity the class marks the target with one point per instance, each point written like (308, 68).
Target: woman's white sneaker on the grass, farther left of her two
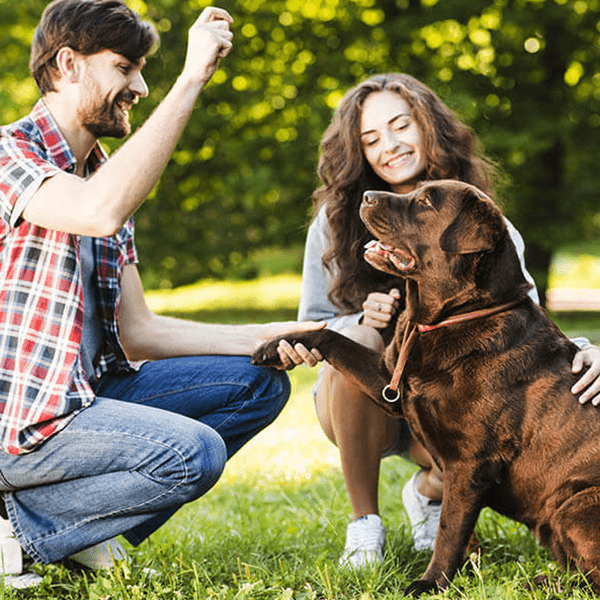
(365, 539)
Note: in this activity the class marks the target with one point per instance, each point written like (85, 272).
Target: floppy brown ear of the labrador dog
(476, 228)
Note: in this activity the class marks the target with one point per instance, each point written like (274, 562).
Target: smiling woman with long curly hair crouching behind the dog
(389, 133)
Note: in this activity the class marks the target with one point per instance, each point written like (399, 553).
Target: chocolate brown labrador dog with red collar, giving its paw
(480, 373)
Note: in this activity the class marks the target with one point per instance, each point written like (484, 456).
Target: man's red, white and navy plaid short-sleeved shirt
(42, 383)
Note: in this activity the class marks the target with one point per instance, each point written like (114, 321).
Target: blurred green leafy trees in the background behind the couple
(524, 74)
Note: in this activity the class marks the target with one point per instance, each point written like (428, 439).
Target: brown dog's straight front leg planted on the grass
(460, 509)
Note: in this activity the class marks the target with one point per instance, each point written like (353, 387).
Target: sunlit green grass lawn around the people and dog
(274, 526)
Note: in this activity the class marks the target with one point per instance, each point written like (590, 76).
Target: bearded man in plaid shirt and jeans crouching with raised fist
(94, 444)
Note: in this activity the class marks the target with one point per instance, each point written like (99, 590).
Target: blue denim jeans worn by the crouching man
(151, 442)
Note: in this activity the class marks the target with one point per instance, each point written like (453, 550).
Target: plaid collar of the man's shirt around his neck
(57, 145)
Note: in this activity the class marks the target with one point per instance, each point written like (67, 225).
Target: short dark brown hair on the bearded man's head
(88, 27)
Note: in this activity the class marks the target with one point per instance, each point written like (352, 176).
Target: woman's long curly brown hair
(450, 149)
